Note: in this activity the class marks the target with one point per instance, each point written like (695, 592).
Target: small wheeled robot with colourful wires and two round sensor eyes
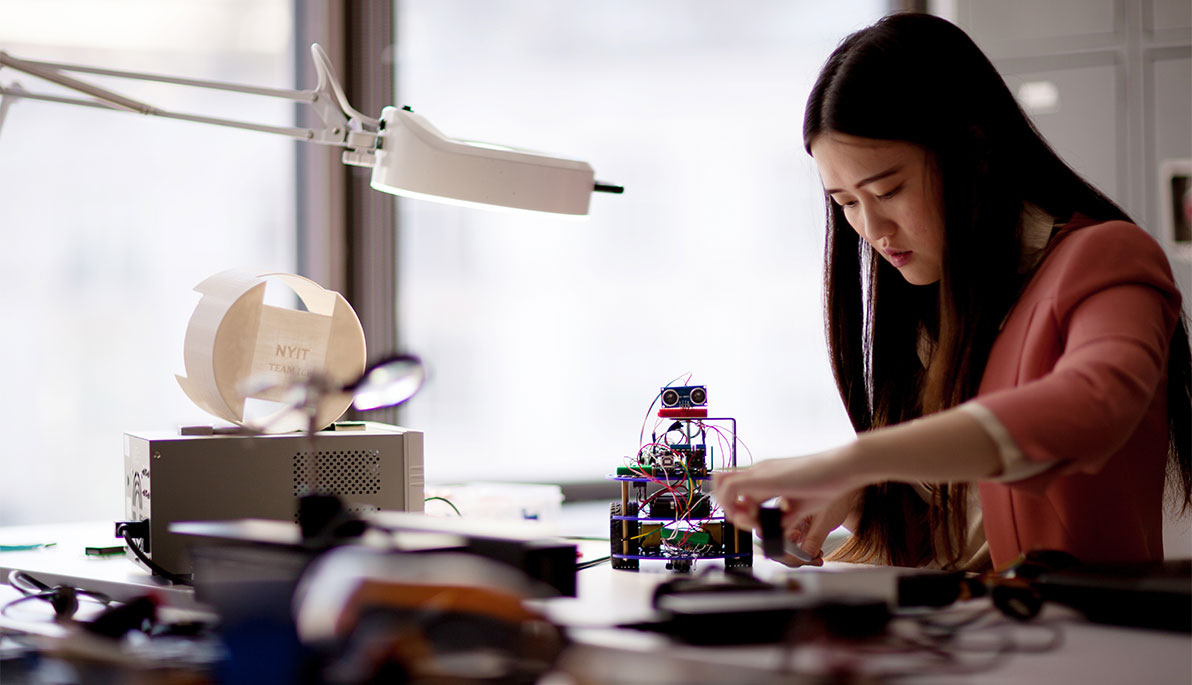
(666, 512)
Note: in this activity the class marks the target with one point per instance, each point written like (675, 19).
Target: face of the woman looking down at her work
(891, 194)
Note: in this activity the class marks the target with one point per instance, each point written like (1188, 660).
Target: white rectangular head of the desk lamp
(415, 160)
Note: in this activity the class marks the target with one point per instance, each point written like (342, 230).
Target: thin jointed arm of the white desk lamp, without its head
(343, 126)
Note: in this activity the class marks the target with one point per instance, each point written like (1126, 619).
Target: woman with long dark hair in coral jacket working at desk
(992, 320)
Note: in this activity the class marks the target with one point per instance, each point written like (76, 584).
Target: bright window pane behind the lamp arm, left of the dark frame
(109, 222)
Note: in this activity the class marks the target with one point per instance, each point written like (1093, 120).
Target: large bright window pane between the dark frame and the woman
(548, 339)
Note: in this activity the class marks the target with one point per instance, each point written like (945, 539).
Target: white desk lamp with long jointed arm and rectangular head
(407, 154)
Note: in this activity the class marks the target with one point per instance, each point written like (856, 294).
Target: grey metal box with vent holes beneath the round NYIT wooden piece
(171, 478)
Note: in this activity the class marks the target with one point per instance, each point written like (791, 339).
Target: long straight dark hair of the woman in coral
(920, 79)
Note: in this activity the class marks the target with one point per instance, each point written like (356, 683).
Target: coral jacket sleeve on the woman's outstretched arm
(1113, 315)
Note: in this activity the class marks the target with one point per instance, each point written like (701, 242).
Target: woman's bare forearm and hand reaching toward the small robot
(951, 446)
